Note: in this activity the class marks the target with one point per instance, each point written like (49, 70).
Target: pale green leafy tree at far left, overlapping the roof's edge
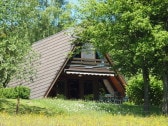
(14, 21)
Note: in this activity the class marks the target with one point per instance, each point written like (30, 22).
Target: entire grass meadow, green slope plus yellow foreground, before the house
(58, 112)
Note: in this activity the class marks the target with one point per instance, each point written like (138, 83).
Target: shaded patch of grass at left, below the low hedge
(10, 107)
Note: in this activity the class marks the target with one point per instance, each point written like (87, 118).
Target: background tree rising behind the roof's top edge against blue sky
(52, 17)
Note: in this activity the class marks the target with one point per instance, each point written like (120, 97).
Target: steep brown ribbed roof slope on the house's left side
(53, 52)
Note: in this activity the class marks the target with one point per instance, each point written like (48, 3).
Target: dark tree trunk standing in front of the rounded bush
(146, 80)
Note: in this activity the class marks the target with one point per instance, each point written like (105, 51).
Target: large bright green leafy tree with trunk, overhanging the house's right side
(133, 31)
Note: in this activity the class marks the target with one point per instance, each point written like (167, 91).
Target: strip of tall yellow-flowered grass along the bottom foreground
(92, 119)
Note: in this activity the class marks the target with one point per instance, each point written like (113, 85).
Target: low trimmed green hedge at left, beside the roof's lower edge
(15, 92)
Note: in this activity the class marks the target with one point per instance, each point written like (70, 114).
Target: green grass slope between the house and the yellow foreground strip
(60, 106)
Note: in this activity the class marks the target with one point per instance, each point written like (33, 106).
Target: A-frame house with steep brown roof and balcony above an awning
(76, 76)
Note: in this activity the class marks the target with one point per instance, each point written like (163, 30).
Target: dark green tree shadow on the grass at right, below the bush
(126, 109)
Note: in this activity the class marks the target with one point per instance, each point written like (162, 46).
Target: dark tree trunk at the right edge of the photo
(165, 89)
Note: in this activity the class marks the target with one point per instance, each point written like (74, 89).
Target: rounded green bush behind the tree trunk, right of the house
(135, 90)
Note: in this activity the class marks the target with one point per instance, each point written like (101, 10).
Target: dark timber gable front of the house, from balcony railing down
(77, 72)
